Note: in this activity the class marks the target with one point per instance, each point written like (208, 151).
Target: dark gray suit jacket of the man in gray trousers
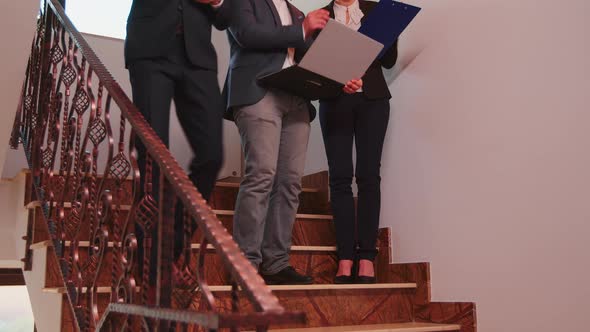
(258, 43)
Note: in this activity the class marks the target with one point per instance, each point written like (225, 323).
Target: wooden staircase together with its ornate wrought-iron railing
(75, 123)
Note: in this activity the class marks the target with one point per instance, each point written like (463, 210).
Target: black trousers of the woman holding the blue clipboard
(348, 119)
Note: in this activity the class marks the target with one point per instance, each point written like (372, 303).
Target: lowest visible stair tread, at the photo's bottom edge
(395, 327)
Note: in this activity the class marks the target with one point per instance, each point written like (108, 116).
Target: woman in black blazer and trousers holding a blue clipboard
(361, 117)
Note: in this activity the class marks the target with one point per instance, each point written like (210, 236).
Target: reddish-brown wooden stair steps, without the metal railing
(400, 301)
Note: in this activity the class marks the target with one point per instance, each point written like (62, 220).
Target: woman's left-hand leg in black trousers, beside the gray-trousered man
(336, 119)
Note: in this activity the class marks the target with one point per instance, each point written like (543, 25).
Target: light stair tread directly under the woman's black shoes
(313, 287)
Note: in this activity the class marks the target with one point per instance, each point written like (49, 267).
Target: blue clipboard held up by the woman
(387, 21)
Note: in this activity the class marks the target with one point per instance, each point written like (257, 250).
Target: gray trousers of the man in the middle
(274, 133)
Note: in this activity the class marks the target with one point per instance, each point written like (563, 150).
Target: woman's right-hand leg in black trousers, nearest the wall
(371, 120)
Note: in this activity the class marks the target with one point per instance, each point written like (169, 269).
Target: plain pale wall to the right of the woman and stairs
(486, 171)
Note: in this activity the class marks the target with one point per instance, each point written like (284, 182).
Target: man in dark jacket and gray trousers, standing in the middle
(266, 36)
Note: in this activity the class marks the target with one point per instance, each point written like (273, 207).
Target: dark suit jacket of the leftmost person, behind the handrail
(152, 25)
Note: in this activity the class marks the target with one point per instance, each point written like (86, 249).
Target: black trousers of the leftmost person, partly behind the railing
(199, 108)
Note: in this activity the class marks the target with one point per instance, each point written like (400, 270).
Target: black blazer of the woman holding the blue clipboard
(374, 84)
